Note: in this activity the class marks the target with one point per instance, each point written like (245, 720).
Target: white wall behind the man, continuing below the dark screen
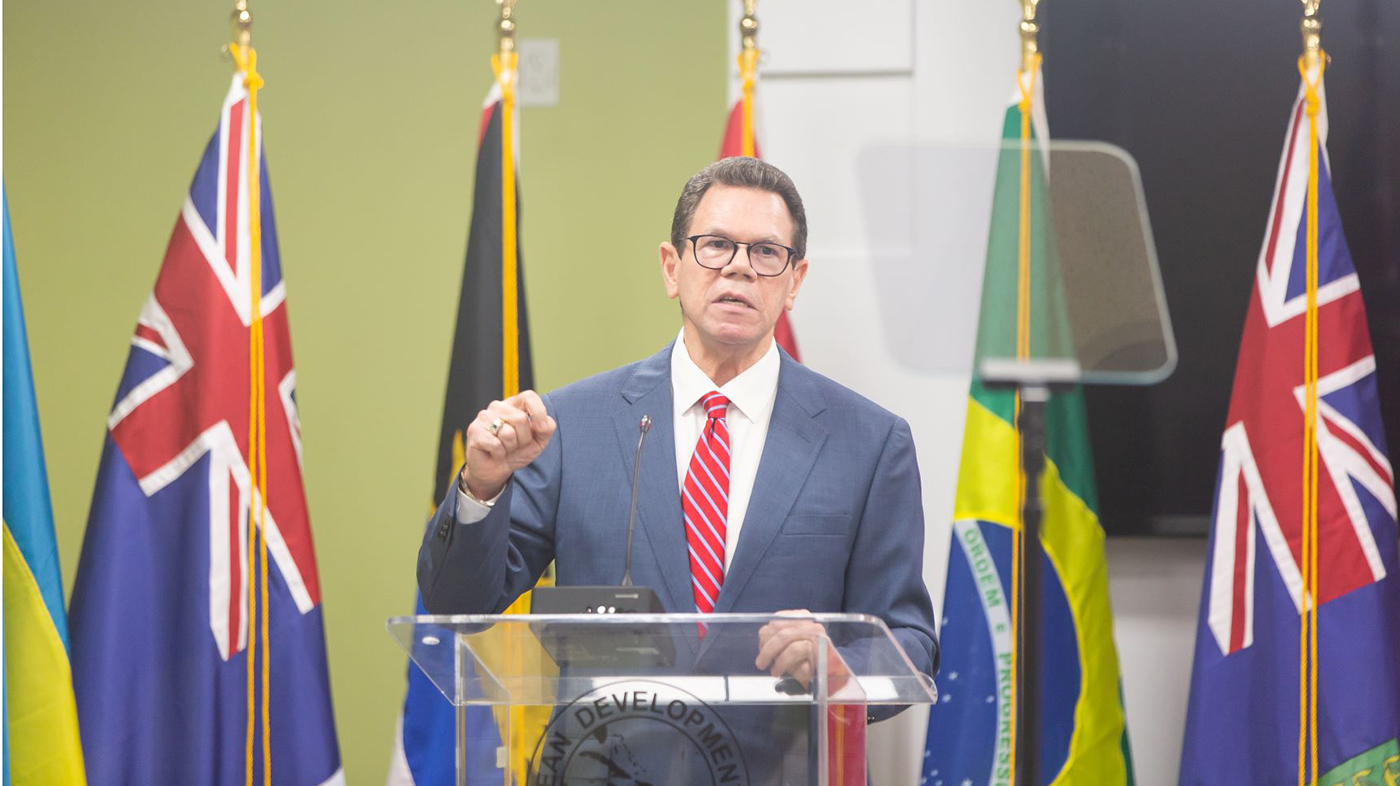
(839, 79)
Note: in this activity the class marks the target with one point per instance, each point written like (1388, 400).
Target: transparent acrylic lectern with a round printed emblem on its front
(653, 698)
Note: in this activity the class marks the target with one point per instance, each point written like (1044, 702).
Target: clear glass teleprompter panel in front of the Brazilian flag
(1004, 253)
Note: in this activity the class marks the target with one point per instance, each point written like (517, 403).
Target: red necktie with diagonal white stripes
(706, 504)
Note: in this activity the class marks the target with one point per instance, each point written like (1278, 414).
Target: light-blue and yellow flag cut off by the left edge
(40, 715)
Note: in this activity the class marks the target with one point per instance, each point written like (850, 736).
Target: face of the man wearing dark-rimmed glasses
(734, 306)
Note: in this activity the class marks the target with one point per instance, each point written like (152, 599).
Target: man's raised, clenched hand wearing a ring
(505, 438)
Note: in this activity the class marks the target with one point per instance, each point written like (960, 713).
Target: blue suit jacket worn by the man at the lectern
(835, 522)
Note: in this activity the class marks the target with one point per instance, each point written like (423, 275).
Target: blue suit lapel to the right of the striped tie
(792, 449)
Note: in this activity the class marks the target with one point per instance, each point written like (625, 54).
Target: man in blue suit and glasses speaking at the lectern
(765, 487)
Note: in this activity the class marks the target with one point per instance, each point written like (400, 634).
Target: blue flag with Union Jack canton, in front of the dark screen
(1242, 718)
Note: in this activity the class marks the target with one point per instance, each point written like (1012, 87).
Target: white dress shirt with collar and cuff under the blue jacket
(751, 408)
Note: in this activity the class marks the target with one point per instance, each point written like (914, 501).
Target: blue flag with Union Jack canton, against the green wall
(160, 607)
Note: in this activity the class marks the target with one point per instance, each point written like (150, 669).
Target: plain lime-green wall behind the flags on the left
(370, 118)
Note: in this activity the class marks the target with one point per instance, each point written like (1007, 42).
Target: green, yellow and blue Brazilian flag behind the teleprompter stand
(1083, 732)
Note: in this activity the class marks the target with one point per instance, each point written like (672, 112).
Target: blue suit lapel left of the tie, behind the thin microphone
(659, 495)
